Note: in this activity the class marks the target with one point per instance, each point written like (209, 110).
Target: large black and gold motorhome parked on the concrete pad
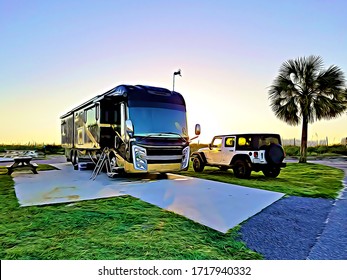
(144, 129)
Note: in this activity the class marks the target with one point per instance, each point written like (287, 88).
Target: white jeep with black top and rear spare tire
(243, 153)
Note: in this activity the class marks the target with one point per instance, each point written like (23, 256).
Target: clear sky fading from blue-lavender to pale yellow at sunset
(55, 55)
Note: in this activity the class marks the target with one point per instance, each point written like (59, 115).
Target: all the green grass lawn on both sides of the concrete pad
(128, 228)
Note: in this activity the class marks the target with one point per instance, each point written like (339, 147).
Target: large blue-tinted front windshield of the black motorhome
(164, 122)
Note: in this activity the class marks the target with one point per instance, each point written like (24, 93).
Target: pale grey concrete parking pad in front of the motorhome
(217, 205)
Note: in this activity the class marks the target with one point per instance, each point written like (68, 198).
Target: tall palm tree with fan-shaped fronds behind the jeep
(305, 92)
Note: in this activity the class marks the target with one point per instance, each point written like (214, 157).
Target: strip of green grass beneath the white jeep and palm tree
(310, 180)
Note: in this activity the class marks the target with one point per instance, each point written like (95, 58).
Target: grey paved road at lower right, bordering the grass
(301, 228)
